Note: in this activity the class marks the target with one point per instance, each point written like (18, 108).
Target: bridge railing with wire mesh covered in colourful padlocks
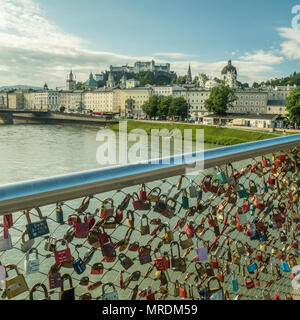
(236, 221)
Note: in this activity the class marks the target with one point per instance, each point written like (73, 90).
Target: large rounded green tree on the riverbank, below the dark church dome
(220, 99)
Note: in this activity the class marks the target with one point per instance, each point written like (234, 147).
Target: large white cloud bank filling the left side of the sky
(34, 50)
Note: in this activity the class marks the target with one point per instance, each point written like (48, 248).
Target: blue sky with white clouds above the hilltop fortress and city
(41, 40)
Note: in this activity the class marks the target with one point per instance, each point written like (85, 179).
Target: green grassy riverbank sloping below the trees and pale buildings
(214, 135)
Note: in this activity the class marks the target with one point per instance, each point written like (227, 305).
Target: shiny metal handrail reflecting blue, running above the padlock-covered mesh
(41, 192)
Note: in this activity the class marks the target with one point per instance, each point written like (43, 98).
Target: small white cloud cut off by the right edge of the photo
(290, 46)
